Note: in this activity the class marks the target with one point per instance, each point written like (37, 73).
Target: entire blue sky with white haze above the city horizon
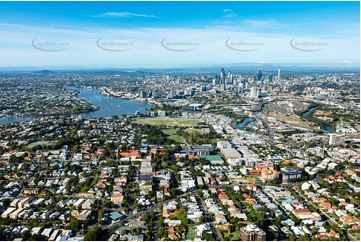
(178, 34)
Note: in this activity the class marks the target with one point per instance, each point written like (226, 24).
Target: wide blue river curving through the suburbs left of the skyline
(108, 106)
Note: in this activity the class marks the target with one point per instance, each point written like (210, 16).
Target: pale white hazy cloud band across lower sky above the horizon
(146, 49)
